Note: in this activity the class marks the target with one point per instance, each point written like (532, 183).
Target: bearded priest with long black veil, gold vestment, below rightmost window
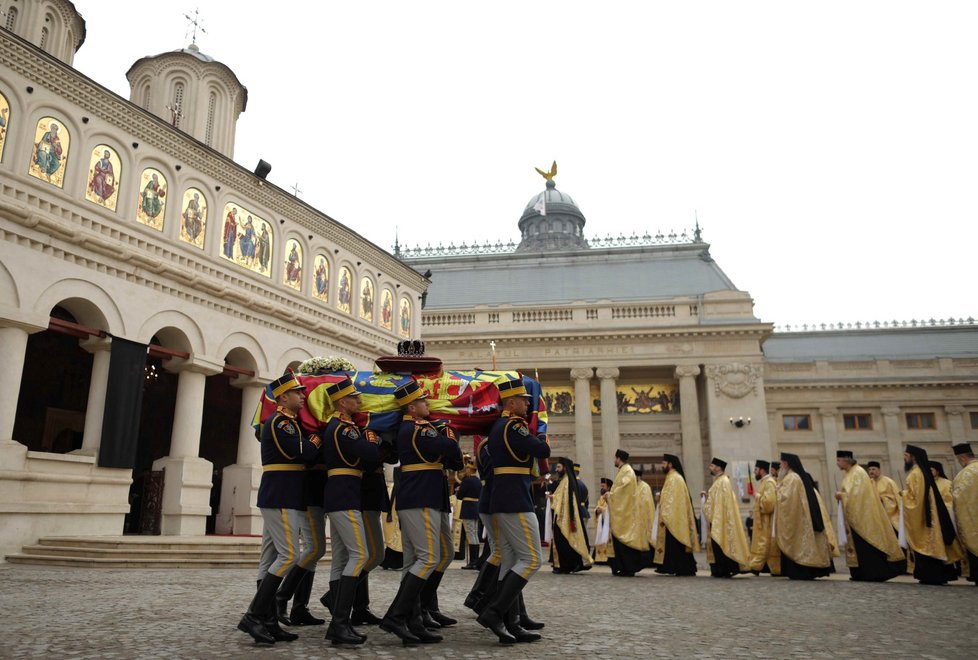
(926, 520)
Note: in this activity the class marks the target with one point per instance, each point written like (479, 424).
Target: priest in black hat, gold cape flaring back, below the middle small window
(873, 553)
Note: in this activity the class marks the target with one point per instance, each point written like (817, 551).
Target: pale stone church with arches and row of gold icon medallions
(149, 287)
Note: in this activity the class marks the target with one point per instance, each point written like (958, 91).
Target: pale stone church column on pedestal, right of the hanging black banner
(188, 478)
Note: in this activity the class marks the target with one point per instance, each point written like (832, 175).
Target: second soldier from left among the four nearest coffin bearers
(346, 449)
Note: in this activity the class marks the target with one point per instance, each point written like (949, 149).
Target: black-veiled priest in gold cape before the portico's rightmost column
(676, 539)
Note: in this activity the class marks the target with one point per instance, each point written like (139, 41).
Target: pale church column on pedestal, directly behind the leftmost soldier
(238, 513)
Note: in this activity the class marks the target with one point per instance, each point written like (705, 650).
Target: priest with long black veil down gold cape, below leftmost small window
(803, 531)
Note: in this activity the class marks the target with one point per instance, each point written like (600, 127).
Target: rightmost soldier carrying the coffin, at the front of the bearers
(513, 450)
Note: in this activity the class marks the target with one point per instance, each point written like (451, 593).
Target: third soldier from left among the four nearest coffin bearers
(422, 506)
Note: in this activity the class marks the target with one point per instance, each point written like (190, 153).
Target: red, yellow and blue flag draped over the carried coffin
(468, 400)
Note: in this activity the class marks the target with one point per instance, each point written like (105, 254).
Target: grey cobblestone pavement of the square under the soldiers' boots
(74, 613)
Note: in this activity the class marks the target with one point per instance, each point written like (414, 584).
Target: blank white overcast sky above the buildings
(829, 148)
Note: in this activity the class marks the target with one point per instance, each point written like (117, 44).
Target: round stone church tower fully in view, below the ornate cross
(192, 91)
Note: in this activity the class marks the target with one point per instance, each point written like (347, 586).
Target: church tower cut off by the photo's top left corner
(54, 26)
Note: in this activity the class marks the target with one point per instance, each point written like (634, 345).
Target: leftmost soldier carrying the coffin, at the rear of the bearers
(285, 449)
